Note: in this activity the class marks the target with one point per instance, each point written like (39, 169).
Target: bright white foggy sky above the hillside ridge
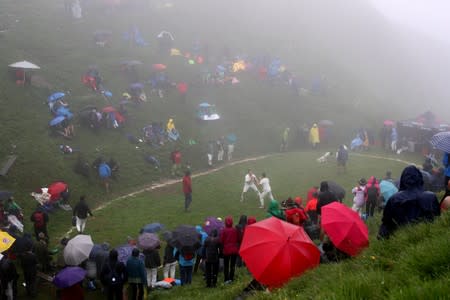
(428, 16)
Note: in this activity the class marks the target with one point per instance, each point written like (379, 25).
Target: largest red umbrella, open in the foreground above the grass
(275, 251)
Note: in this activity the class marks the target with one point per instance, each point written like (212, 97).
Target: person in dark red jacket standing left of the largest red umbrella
(229, 238)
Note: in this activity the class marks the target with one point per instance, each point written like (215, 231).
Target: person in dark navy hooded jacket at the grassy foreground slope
(409, 205)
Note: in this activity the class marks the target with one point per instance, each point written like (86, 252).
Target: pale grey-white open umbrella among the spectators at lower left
(78, 249)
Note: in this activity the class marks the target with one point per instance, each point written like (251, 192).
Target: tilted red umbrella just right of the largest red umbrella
(345, 228)
